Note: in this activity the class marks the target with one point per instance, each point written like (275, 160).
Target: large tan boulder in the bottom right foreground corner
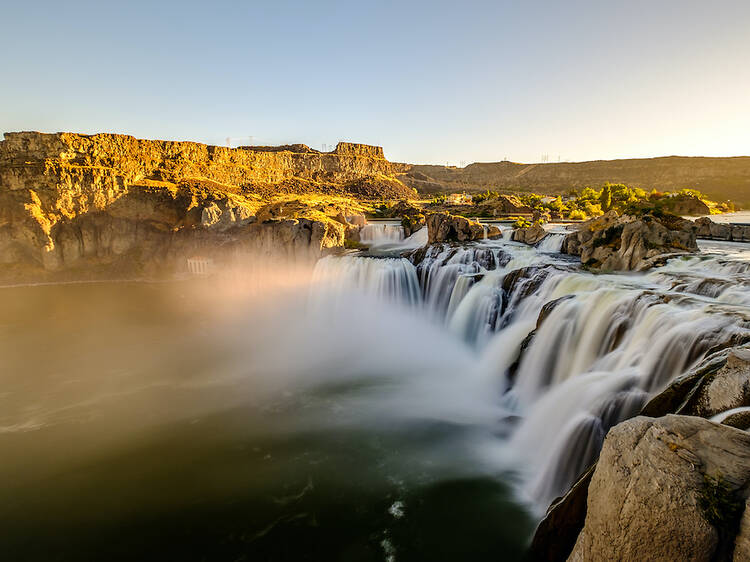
(671, 488)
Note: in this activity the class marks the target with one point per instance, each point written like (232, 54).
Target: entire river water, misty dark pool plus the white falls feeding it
(396, 404)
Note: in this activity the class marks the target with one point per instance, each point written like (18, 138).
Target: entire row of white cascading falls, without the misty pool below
(568, 353)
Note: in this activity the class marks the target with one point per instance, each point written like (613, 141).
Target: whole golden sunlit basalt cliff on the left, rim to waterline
(111, 201)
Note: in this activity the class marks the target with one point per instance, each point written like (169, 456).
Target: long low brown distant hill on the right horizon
(719, 178)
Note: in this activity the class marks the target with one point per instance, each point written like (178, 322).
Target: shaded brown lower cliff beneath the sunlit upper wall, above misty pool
(153, 232)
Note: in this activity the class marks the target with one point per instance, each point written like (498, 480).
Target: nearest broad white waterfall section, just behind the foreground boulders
(597, 357)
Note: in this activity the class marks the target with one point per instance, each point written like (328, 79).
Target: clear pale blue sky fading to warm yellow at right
(432, 82)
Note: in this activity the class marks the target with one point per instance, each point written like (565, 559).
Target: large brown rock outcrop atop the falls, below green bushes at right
(628, 243)
